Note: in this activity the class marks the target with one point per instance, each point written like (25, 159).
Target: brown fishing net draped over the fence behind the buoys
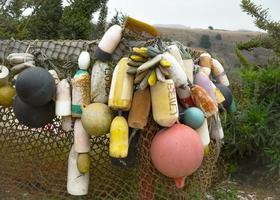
(33, 162)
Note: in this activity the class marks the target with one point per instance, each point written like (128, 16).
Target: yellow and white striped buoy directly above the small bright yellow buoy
(121, 90)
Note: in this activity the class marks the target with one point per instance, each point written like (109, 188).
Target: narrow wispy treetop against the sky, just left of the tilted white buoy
(101, 24)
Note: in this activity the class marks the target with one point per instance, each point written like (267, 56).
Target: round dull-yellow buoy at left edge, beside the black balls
(7, 94)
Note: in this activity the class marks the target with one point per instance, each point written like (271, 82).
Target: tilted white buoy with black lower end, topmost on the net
(108, 43)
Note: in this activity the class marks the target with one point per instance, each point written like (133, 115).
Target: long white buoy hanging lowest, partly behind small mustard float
(77, 183)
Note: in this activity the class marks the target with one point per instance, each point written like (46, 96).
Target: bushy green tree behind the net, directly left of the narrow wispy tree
(76, 20)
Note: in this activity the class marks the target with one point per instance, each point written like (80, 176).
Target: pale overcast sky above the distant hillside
(221, 14)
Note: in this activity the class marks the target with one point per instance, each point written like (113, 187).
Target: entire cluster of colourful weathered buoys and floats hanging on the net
(182, 95)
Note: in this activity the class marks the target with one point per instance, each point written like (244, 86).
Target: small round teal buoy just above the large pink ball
(192, 117)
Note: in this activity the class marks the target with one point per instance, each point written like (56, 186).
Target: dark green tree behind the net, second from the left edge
(44, 23)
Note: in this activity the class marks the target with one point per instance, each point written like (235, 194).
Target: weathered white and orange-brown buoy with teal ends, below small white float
(80, 92)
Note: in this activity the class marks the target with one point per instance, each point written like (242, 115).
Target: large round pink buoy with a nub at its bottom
(177, 152)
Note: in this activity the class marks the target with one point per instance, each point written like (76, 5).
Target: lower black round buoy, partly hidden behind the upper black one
(33, 117)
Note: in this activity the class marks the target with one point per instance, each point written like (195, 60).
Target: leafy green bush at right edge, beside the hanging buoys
(254, 129)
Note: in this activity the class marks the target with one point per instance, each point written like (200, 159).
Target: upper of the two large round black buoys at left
(35, 86)
